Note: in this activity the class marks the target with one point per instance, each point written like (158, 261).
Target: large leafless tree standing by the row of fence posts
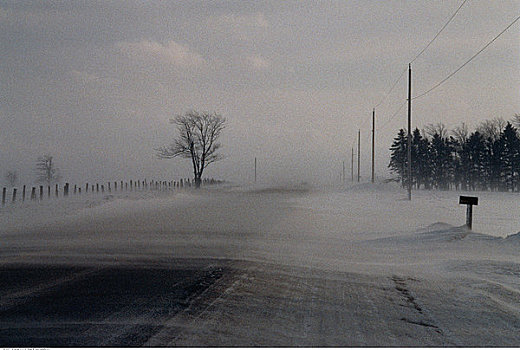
(197, 140)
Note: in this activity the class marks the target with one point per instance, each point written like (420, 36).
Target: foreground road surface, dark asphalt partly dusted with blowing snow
(229, 303)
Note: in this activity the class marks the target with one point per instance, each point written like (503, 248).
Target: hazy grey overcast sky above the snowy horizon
(94, 83)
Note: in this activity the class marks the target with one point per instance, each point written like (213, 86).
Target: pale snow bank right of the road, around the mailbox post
(384, 208)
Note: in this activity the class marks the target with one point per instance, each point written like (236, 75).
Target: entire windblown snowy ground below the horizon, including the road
(280, 266)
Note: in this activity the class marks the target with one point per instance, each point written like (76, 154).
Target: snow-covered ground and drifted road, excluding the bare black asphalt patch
(421, 277)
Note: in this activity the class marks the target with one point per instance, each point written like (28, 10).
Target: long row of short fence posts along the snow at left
(124, 186)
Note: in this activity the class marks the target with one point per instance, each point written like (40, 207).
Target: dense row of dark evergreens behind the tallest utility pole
(487, 159)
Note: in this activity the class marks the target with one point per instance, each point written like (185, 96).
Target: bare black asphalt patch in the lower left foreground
(112, 306)
